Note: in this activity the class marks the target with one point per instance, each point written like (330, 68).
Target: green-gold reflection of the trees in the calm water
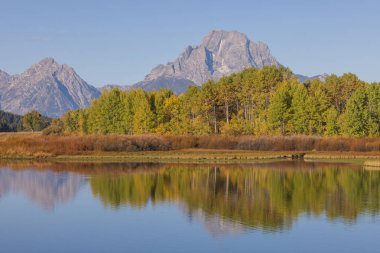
(260, 198)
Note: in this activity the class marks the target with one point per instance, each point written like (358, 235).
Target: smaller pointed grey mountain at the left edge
(48, 87)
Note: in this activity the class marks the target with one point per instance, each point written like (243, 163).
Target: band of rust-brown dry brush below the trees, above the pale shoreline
(37, 145)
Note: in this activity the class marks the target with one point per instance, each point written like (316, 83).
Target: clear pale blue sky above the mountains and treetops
(110, 41)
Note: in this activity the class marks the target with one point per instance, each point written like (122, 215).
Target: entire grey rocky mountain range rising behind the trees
(52, 89)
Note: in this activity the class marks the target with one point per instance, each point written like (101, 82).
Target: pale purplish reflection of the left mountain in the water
(46, 188)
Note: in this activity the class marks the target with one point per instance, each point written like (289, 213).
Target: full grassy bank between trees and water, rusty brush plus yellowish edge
(183, 148)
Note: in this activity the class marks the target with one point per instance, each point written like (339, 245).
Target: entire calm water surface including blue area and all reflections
(272, 207)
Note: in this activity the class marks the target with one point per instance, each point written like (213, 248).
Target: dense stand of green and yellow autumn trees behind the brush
(267, 101)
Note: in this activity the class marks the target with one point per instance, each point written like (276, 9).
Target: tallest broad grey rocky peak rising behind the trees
(221, 53)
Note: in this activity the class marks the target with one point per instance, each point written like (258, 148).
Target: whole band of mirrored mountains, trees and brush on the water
(266, 196)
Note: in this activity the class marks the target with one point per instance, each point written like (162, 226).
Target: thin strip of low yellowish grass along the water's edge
(197, 155)
